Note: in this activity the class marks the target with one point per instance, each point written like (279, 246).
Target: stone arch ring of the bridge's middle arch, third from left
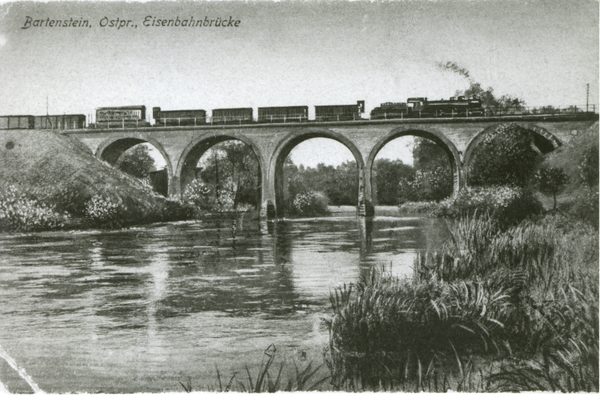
(273, 188)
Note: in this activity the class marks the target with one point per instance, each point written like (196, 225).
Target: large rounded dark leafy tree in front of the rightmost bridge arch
(506, 156)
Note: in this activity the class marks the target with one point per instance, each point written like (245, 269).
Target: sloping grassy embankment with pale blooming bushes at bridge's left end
(53, 181)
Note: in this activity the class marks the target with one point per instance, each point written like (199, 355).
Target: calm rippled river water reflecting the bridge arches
(145, 309)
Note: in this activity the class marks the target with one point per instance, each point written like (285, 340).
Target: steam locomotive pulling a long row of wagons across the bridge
(135, 116)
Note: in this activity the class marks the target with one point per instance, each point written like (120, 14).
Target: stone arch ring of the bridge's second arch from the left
(186, 166)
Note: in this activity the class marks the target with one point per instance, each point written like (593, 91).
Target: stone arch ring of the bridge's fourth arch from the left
(427, 133)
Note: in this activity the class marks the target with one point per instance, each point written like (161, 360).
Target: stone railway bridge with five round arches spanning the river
(182, 147)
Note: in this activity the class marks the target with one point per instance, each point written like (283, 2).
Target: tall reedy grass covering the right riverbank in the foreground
(496, 309)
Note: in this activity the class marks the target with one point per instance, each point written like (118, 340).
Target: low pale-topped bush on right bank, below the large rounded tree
(506, 205)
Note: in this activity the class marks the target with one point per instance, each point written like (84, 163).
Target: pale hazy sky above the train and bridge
(294, 53)
